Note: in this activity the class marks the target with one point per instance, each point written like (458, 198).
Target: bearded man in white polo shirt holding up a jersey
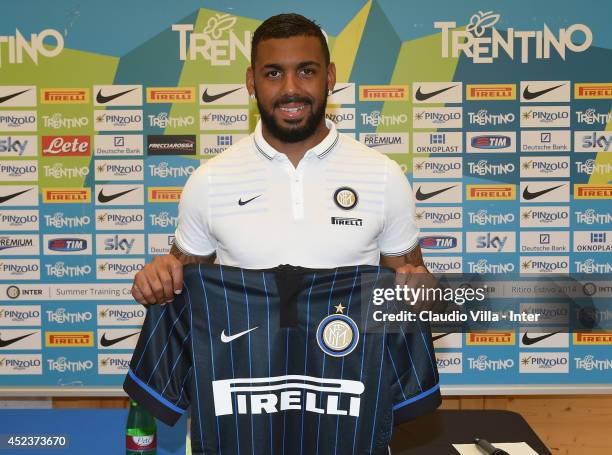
(296, 191)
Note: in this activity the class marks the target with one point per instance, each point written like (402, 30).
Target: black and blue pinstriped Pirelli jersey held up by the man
(282, 361)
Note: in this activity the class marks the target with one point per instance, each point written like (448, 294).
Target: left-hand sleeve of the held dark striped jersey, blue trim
(161, 367)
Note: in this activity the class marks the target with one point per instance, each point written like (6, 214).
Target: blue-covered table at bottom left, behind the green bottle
(90, 431)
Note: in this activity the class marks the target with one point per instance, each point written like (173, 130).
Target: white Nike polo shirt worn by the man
(344, 204)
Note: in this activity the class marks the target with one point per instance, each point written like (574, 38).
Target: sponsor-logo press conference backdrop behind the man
(499, 113)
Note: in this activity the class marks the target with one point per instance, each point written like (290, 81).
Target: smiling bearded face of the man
(290, 80)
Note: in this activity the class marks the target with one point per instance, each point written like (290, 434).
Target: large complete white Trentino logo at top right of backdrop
(475, 43)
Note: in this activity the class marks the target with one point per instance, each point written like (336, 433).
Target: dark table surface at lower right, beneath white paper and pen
(435, 432)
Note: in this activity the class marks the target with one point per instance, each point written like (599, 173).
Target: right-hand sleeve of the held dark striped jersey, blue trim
(414, 380)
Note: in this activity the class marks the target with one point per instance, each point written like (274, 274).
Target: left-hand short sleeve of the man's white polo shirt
(192, 235)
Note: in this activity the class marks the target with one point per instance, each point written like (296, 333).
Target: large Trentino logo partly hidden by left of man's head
(217, 43)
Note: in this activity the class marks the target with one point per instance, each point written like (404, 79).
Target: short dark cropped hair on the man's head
(287, 26)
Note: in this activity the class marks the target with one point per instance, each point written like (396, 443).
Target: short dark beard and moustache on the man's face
(296, 133)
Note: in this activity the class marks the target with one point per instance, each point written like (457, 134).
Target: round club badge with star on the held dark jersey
(337, 334)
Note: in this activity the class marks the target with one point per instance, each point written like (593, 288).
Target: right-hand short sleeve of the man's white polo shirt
(400, 233)
